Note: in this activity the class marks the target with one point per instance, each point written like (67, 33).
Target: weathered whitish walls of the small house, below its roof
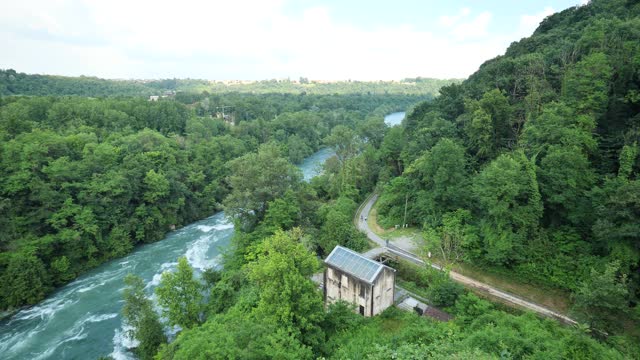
(341, 286)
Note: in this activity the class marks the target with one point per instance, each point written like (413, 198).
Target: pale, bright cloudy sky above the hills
(263, 39)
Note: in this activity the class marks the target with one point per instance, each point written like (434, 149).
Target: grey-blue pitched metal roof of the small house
(354, 264)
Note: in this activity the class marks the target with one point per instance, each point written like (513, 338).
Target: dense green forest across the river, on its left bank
(86, 180)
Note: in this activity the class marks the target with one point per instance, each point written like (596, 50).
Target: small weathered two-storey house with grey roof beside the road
(363, 282)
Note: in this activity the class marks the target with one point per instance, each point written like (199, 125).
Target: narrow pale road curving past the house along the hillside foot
(363, 226)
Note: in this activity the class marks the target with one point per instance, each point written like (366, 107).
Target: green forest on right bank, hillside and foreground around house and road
(529, 167)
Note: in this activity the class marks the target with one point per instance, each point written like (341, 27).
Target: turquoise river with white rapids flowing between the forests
(81, 320)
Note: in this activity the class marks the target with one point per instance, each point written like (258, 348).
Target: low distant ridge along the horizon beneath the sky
(14, 83)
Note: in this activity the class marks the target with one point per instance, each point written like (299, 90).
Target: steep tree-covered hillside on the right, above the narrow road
(532, 166)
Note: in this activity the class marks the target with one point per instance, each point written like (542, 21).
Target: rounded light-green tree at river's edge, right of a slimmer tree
(180, 296)
